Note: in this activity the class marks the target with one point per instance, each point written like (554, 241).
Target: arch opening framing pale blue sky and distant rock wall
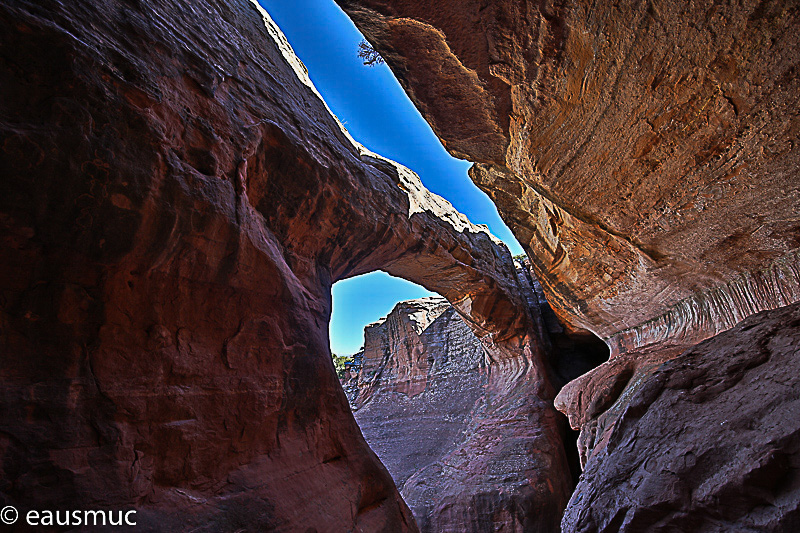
(402, 338)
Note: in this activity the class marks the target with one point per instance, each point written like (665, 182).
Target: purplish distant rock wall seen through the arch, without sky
(420, 389)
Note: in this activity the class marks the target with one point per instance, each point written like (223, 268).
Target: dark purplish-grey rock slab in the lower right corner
(707, 441)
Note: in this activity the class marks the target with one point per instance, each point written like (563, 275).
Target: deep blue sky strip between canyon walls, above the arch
(374, 108)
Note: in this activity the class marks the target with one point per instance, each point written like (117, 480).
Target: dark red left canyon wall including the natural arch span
(175, 203)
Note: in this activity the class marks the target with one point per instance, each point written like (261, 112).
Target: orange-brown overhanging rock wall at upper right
(645, 155)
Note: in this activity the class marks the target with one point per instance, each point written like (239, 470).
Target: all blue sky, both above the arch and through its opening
(378, 114)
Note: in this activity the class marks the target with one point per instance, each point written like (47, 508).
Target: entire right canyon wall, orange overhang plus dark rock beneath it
(646, 156)
